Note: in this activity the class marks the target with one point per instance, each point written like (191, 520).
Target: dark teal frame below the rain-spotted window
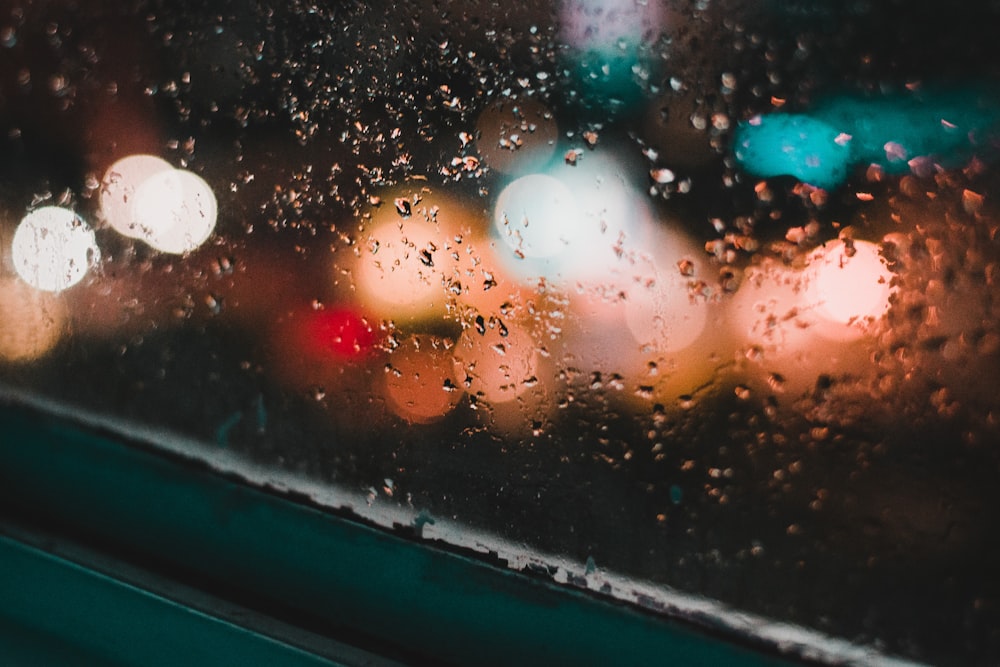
(346, 581)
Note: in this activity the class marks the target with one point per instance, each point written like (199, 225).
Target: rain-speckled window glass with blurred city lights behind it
(697, 294)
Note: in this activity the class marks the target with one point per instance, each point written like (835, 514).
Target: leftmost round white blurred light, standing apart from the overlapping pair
(53, 248)
